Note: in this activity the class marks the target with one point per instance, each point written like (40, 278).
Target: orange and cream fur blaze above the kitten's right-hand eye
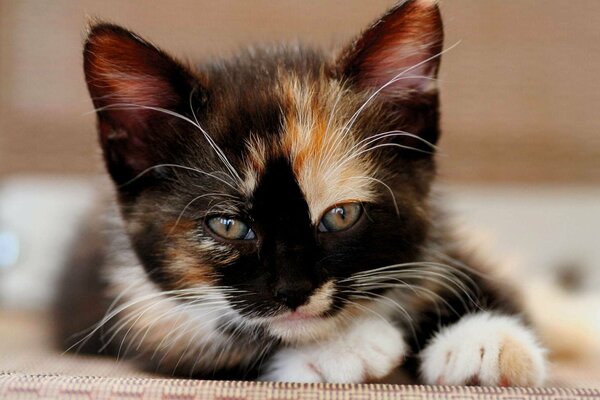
(324, 155)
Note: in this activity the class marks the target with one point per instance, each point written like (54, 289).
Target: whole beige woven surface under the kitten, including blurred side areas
(31, 367)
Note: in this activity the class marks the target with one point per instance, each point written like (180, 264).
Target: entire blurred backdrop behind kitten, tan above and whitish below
(520, 158)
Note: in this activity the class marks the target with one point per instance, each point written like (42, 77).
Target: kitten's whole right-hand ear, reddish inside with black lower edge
(396, 61)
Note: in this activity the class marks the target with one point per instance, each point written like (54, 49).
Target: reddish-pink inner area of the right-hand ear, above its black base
(399, 53)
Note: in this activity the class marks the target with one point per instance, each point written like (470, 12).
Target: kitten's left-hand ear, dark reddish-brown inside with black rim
(135, 88)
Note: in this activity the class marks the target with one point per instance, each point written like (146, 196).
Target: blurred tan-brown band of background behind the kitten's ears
(520, 90)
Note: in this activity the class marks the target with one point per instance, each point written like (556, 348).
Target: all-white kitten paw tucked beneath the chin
(371, 349)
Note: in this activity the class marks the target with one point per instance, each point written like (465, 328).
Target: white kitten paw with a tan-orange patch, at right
(484, 349)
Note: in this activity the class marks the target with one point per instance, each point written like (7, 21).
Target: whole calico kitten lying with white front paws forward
(276, 220)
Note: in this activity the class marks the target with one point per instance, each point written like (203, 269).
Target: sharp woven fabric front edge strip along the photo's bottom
(46, 386)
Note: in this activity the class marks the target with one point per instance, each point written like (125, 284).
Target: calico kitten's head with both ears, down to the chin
(277, 177)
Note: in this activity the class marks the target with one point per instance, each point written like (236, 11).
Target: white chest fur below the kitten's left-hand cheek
(150, 320)
